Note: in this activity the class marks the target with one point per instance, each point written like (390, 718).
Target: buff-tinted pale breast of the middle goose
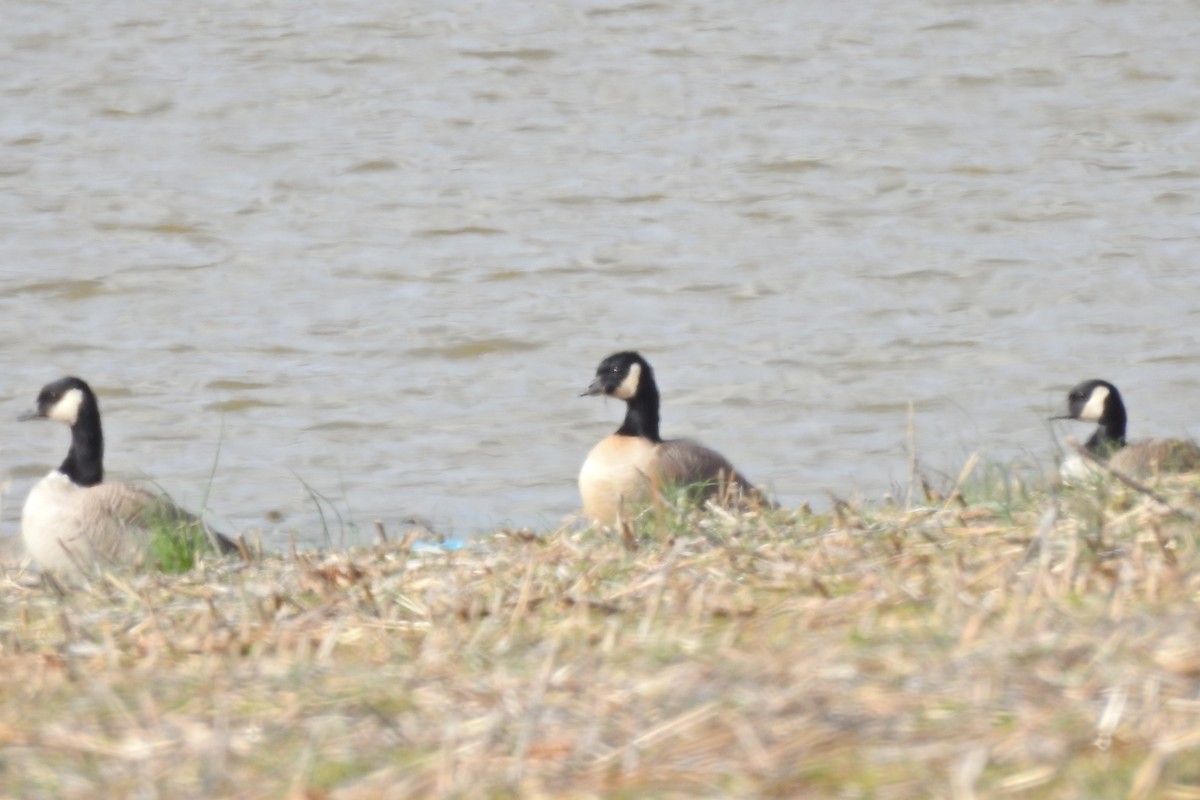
(616, 477)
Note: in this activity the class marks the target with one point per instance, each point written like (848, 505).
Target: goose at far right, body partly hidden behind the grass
(1099, 401)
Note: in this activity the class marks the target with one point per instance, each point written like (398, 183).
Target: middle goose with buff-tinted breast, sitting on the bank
(627, 468)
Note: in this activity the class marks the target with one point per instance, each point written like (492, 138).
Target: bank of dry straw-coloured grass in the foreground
(1022, 645)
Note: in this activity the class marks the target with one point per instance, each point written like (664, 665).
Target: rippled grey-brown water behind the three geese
(379, 251)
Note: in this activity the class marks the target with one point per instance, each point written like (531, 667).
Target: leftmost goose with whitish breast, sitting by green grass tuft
(73, 520)
